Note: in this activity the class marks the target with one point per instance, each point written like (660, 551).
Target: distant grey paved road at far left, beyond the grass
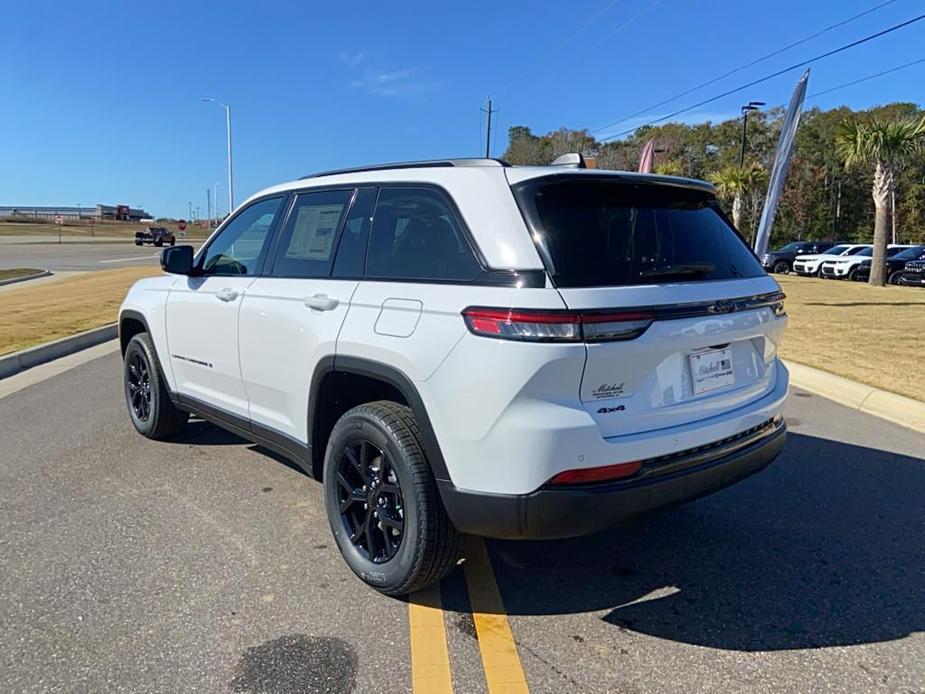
(75, 254)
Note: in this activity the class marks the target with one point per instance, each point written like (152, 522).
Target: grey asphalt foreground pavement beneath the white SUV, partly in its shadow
(207, 565)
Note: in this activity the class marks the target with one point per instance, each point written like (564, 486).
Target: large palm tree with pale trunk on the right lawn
(886, 144)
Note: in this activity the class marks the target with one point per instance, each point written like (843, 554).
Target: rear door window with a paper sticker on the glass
(306, 245)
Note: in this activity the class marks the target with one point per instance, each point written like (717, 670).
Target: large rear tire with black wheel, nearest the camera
(385, 435)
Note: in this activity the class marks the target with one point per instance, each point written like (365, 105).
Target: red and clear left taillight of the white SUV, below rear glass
(528, 325)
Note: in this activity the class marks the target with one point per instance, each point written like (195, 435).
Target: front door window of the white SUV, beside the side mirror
(240, 247)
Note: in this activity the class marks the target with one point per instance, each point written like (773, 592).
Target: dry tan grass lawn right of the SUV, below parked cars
(869, 334)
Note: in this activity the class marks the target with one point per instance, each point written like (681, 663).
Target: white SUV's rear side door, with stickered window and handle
(291, 317)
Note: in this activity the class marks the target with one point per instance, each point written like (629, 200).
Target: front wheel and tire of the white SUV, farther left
(159, 419)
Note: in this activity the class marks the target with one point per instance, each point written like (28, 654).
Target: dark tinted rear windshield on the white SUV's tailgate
(597, 232)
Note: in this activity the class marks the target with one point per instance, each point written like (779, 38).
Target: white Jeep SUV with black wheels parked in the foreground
(465, 346)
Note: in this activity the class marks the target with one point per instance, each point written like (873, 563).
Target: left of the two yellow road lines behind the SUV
(430, 659)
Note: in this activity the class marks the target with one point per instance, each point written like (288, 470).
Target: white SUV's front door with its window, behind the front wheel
(202, 310)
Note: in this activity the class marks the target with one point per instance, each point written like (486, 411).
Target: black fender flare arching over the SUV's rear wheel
(393, 377)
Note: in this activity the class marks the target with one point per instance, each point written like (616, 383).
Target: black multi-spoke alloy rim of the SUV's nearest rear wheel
(370, 500)
